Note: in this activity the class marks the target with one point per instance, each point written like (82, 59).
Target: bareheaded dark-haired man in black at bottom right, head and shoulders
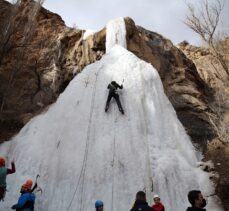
(197, 201)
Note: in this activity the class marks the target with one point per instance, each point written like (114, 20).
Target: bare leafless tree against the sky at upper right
(205, 21)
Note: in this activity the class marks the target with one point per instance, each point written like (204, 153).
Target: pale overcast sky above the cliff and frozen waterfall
(162, 16)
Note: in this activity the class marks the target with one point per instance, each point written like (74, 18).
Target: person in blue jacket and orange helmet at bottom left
(27, 199)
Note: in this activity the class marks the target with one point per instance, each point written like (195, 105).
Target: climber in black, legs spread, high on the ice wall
(113, 86)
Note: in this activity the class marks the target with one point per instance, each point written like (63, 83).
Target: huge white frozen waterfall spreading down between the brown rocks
(84, 154)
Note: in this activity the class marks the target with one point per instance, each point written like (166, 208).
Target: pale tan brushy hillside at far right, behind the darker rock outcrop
(217, 150)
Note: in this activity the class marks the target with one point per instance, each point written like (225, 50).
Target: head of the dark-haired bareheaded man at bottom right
(196, 199)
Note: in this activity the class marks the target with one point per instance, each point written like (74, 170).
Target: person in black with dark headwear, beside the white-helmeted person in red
(140, 203)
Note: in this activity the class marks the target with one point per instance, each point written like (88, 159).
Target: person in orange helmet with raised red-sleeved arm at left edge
(3, 173)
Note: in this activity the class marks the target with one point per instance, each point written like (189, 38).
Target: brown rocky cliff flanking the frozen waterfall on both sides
(39, 55)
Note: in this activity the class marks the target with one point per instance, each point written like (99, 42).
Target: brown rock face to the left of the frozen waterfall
(39, 55)
